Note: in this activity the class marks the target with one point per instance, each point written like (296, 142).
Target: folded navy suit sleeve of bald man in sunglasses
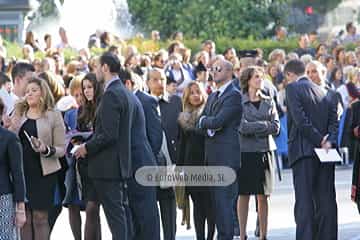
(231, 108)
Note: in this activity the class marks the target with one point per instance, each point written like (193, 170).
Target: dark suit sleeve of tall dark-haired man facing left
(108, 116)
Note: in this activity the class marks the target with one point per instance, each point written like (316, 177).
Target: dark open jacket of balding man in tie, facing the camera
(170, 111)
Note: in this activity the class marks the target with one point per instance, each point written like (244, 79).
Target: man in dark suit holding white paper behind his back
(312, 123)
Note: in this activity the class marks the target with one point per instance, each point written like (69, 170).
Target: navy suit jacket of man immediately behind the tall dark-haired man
(141, 152)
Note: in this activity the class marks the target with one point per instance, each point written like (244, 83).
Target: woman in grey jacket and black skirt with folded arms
(260, 121)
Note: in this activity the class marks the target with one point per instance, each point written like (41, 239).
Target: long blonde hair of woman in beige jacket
(46, 101)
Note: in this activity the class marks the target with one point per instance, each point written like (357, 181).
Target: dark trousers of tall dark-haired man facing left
(111, 195)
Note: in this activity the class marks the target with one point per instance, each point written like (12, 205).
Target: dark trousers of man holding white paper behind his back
(315, 200)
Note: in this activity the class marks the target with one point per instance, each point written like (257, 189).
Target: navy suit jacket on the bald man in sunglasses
(223, 149)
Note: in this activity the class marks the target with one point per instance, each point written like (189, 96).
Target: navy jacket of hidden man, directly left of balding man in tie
(153, 121)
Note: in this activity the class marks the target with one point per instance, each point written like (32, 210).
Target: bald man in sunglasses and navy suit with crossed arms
(220, 120)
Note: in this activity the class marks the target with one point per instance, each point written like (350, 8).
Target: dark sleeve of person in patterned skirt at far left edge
(16, 167)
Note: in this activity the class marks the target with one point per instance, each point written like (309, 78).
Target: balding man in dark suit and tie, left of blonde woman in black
(169, 109)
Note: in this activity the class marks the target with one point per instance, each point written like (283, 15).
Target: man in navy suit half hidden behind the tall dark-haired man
(142, 199)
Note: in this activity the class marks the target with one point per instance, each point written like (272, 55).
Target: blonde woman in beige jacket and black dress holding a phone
(42, 134)
